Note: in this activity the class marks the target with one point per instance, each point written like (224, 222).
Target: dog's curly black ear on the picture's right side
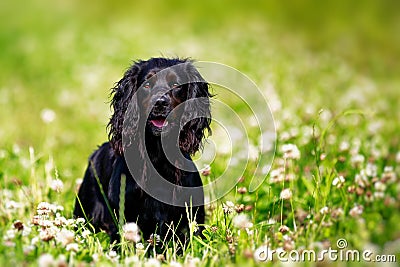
(197, 106)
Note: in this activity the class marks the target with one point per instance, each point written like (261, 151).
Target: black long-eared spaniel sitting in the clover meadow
(152, 113)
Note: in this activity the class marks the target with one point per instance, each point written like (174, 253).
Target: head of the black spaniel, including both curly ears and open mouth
(157, 96)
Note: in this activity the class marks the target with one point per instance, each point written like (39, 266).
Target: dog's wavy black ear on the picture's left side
(122, 95)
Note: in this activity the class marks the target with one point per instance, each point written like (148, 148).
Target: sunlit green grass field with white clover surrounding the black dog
(328, 70)
